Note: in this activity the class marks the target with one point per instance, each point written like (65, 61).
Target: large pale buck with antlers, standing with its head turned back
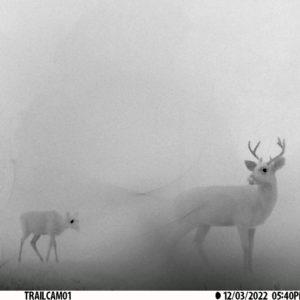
(245, 206)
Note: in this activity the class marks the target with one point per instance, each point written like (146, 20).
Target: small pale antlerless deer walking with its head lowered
(45, 223)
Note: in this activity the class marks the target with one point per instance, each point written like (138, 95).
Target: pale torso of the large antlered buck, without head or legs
(227, 205)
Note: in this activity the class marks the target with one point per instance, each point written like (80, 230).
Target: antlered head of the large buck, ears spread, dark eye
(264, 172)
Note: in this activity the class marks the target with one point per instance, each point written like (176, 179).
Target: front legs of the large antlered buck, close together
(247, 241)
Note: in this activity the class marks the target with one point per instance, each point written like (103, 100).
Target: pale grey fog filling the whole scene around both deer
(112, 108)
